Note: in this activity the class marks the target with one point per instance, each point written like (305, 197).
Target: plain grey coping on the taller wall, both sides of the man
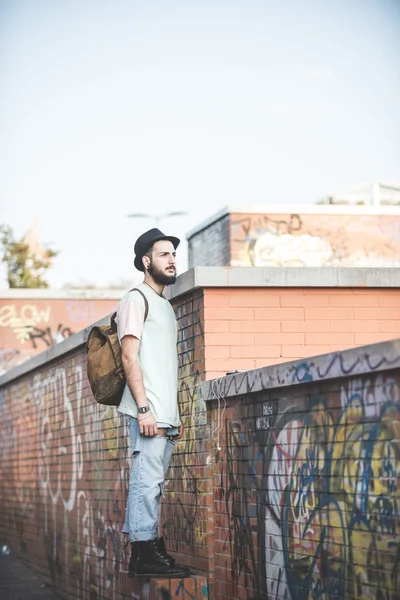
(241, 277)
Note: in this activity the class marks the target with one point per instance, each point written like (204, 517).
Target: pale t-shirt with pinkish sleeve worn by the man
(157, 356)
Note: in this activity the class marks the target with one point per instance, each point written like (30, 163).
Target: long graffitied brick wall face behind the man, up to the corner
(65, 470)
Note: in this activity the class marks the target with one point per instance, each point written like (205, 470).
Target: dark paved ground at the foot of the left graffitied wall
(18, 582)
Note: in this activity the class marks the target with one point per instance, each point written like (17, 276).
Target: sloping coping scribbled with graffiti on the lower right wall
(382, 356)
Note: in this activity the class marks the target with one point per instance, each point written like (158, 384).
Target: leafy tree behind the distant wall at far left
(25, 269)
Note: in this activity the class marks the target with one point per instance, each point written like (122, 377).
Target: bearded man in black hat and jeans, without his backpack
(147, 332)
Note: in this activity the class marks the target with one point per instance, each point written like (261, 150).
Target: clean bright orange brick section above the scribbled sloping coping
(251, 328)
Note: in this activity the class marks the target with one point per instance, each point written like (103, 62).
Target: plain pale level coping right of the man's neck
(320, 277)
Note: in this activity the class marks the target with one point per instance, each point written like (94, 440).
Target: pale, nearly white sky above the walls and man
(109, 108)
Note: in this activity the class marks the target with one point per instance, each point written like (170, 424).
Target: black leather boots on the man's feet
(147, 561)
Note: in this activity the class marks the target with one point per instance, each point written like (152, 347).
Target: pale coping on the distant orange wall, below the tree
(61, 294)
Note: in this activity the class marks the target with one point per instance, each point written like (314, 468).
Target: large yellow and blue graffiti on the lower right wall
(345, 502)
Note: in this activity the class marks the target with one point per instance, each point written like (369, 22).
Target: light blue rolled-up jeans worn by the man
(149, 464)
